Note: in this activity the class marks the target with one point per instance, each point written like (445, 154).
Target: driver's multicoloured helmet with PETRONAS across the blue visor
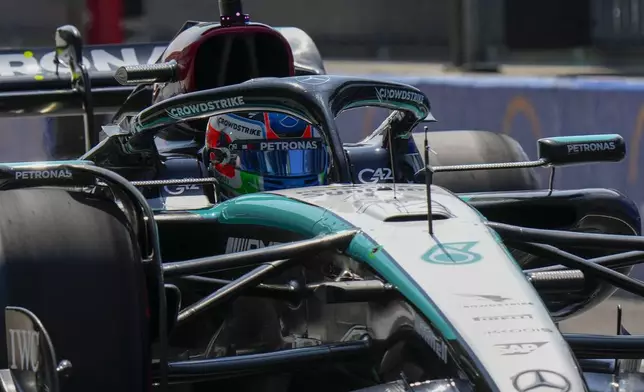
(260, 151)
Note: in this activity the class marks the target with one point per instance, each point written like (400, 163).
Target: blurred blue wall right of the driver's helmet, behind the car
(531, 108)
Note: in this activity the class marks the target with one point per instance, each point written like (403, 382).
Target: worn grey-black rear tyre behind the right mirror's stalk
(475, 147)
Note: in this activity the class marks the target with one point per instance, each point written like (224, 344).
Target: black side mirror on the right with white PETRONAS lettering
(571, 150)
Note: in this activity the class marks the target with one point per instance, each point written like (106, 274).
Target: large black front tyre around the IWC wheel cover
(71, 259)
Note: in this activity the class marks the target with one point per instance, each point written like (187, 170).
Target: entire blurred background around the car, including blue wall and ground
(529, 68)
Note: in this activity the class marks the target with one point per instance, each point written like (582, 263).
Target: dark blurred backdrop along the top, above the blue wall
(603, 35)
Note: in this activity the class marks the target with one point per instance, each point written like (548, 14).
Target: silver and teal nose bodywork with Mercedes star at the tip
(461, 280)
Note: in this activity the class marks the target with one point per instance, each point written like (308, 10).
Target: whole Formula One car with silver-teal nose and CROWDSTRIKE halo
(127, 270)
